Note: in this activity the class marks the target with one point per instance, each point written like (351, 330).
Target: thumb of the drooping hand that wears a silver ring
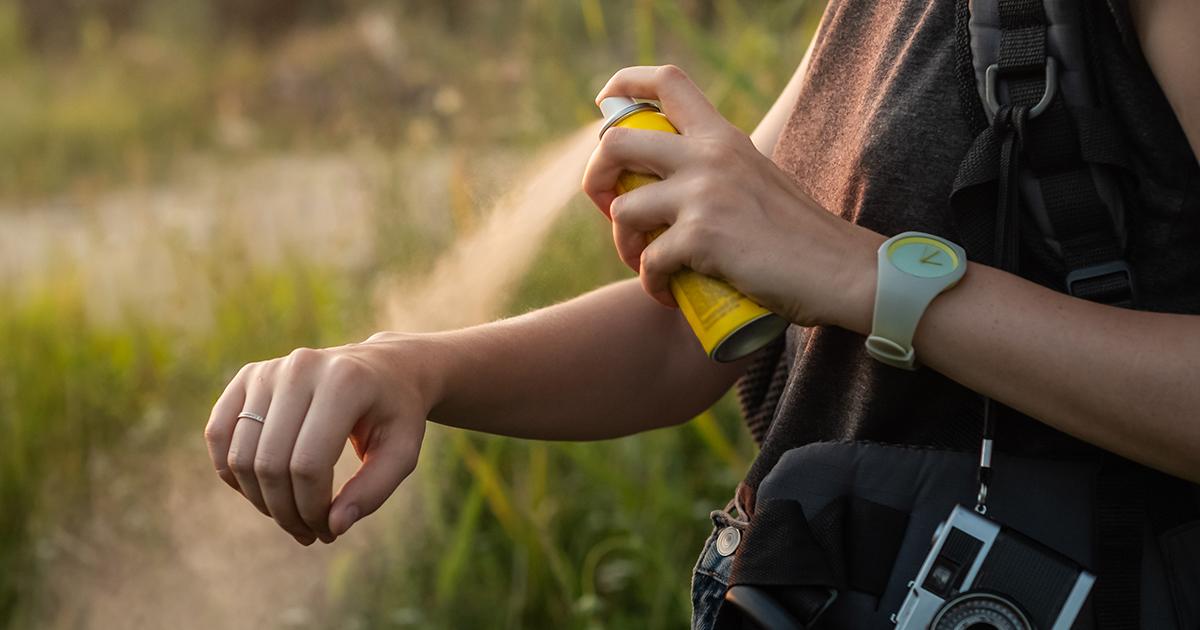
(387, 460)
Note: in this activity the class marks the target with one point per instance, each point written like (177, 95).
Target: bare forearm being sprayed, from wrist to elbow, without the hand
(607, 364)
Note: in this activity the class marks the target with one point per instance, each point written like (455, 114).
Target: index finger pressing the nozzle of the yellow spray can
(682, 101)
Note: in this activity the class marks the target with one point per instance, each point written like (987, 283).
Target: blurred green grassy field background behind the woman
(191, 185)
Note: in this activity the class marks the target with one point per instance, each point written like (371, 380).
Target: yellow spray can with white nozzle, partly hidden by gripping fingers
(728, 325)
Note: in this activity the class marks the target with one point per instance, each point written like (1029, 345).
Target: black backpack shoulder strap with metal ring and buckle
(1033, 58)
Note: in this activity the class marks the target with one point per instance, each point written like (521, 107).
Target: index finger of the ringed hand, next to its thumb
(337, 407)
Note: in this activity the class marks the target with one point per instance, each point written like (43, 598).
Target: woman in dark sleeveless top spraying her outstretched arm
(866, 143)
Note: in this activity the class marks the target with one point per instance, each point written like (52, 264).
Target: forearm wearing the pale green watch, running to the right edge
(1118, 379)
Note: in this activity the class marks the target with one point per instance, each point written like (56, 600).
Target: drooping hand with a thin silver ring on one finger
(311, 403)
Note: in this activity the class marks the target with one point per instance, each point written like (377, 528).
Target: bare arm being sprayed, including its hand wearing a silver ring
(607, 364)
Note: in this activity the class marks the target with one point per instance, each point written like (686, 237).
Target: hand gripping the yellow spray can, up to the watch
(731, 213)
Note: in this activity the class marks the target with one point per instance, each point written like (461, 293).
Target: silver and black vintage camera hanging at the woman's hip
(983, 575)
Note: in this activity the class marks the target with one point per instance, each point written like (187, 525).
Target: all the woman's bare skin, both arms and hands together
(1120, 380)
